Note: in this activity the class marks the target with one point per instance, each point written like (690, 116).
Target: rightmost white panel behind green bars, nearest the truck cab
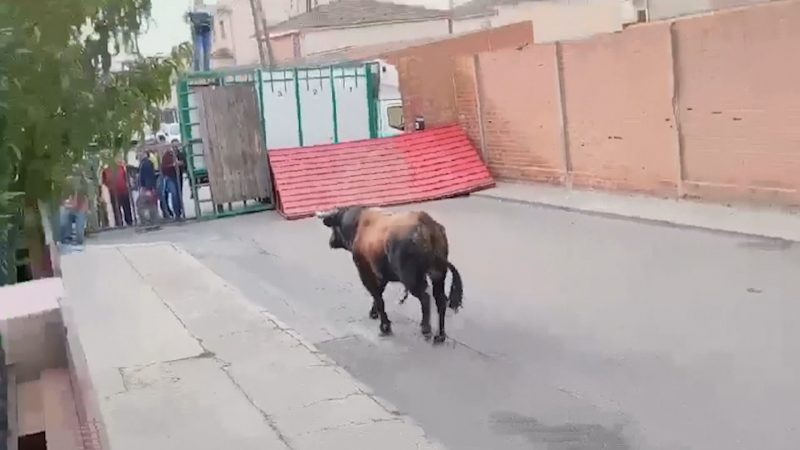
(352, 110)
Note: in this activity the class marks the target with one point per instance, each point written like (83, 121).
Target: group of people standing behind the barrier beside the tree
(158, 182)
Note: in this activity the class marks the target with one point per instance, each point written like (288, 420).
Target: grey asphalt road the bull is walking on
(578, 332)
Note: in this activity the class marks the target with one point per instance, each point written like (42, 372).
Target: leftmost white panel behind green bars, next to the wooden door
(279, 107)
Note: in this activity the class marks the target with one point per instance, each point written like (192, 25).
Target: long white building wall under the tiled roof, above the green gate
(331, 39)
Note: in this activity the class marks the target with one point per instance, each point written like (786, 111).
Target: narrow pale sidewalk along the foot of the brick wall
(764, 223)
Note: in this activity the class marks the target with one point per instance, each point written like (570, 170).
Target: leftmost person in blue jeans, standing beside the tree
(74, 209)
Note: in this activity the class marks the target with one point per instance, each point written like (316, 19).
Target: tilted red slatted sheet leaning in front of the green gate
(408, 168)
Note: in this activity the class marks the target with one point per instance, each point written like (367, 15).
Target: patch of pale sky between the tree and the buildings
(168, 28)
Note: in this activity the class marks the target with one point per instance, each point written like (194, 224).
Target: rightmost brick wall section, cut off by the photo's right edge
(739, 79)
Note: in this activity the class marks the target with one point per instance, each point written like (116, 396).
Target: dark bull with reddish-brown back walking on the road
(404, 247)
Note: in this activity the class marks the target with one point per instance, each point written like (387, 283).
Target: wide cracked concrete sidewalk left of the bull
(179, 360)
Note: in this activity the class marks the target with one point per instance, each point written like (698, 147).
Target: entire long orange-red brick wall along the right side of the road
(702, 106)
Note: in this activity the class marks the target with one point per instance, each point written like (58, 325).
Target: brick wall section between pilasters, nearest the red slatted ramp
(521, 114)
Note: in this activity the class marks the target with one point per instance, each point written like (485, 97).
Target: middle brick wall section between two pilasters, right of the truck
(618, 100)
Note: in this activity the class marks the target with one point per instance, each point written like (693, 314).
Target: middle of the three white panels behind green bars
(316, 106)
